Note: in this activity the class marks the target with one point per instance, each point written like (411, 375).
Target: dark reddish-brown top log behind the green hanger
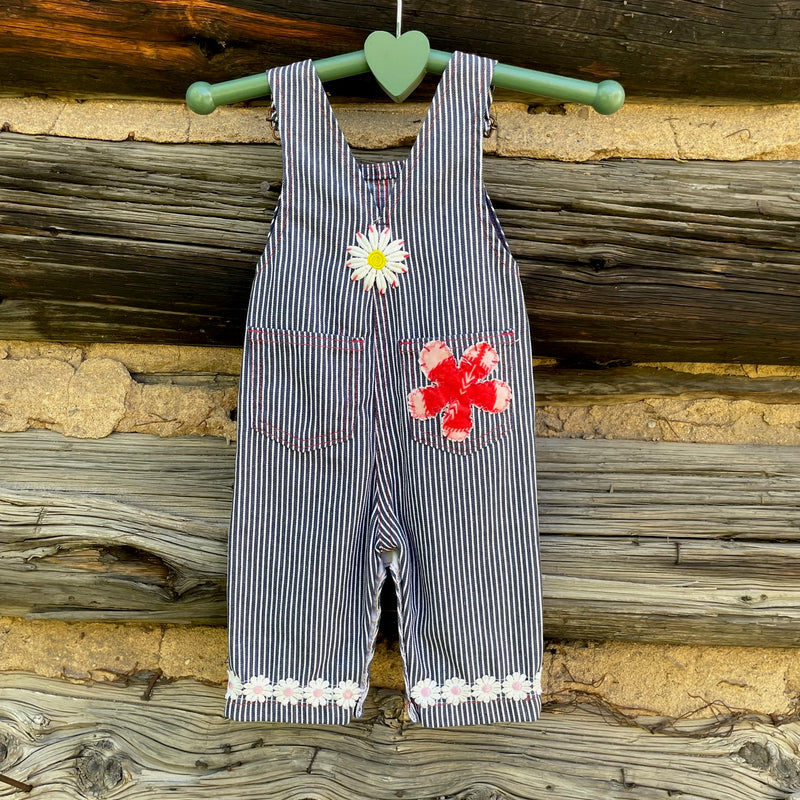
(156, 48)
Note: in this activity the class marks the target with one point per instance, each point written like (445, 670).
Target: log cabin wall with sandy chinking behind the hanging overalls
(659, 255)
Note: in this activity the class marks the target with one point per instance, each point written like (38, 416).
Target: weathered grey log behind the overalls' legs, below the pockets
(641, 541)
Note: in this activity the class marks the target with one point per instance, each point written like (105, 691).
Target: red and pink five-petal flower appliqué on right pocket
(457, 387)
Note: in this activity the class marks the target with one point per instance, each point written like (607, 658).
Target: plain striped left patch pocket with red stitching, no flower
(304, 386)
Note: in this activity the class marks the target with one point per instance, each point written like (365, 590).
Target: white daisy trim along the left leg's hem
(289, 692)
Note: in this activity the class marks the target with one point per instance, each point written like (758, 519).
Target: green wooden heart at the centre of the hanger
(397, 62)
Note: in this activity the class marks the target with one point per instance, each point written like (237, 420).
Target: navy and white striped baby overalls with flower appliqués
(385, 426)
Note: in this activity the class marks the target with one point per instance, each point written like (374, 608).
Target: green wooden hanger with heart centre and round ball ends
(399, 63)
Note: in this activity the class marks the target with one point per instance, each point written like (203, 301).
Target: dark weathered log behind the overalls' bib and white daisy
(636, 260)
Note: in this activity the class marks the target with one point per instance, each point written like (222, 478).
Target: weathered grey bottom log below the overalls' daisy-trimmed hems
(105, 740)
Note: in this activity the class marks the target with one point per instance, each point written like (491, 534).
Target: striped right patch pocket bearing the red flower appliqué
(458, 389)
